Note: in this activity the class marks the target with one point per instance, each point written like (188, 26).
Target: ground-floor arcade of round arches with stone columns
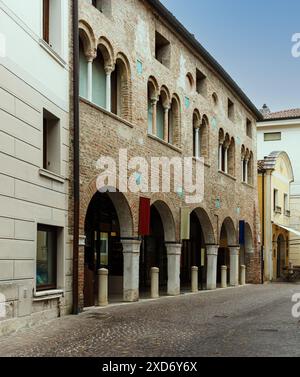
(110, 243)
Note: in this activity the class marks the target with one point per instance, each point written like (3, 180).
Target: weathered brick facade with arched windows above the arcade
(127, 35)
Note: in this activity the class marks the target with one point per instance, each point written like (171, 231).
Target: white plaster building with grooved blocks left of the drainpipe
(35, 262)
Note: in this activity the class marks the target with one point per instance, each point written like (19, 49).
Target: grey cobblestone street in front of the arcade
(246, 321)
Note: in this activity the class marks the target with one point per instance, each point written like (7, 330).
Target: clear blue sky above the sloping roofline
(252, 40)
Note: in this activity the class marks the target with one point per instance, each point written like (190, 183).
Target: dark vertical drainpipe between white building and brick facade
(76, 154)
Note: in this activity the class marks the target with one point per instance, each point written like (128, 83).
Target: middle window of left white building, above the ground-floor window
(51, 143)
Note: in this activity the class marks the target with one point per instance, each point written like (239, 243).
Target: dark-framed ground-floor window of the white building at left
(46, 258)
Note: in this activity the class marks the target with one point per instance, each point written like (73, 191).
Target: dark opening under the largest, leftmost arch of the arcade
(108, 218)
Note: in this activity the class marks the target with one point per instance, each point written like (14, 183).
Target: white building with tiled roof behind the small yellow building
(280, 131)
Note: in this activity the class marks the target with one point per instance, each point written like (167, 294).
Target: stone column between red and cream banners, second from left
(174, 253)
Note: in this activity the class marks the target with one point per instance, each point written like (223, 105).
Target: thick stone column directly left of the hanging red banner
(131, 253)
